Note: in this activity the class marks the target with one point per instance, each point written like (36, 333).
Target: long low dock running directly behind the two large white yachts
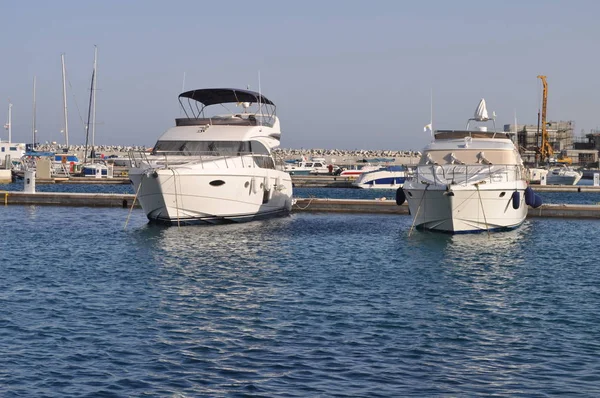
(312, 205)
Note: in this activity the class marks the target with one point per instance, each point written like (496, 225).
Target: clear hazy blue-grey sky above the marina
(344, 74)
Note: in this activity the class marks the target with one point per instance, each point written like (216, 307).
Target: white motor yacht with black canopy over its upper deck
(214, 169)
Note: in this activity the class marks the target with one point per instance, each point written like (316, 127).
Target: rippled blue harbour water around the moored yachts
(306, 305)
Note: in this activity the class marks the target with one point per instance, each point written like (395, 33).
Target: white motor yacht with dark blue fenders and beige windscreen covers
(468, 181)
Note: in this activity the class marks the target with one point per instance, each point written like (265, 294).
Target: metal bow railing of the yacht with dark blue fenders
(460, 174)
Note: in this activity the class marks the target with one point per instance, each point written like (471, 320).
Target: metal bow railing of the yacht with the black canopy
(166, 159)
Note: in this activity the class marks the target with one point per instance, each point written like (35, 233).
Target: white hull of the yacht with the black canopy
(185, 195)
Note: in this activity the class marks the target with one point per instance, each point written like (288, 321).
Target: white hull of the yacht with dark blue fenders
(465, 208)
